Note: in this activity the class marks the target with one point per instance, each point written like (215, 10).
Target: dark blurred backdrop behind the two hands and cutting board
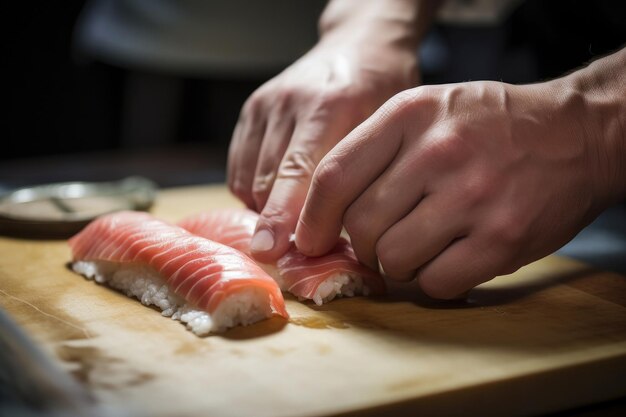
(99, 90)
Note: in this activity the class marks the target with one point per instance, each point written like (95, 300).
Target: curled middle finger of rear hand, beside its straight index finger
(275, 143)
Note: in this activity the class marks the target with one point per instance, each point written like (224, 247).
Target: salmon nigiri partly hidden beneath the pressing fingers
(321, 279)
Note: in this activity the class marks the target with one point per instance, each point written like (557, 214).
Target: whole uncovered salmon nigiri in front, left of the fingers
(207, 285)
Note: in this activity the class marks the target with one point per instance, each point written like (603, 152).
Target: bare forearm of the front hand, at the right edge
(602, 86)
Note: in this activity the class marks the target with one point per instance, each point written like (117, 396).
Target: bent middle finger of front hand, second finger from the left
(384, 203)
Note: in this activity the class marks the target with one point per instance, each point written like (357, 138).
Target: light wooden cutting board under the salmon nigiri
(549, 337)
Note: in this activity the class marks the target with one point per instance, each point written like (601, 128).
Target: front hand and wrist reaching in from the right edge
(456, 184)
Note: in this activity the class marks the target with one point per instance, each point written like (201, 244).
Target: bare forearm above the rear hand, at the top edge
(397, 22)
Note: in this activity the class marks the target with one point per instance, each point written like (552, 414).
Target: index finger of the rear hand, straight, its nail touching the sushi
(279, 216)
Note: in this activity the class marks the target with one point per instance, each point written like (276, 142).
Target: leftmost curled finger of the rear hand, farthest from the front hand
(244, 151)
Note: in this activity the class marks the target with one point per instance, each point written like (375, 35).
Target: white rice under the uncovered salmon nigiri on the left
(142, 282)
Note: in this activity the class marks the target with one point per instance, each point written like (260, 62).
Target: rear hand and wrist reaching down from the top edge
(366, 54)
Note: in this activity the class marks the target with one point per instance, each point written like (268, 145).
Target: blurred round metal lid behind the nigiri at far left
(61, 210)
